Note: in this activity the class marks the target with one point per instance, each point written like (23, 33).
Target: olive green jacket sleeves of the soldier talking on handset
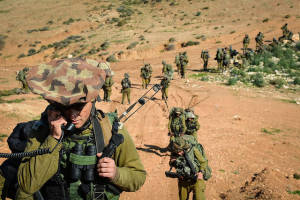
(34, 172)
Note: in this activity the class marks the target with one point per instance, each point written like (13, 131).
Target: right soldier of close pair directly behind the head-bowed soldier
(192, 124)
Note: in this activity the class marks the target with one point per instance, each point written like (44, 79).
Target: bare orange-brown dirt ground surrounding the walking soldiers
(246, 162)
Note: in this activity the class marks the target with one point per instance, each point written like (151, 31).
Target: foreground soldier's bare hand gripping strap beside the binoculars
(106, 167)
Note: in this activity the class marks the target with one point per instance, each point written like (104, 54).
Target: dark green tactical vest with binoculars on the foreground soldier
(77, 177)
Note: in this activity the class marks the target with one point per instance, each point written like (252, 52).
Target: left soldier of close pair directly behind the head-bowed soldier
(176, 124)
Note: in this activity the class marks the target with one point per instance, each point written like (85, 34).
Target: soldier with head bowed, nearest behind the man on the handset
(191, 167)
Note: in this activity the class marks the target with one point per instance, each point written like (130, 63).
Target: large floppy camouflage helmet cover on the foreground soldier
(66, 81)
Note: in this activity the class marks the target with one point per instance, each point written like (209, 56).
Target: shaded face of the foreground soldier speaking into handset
(78, 115)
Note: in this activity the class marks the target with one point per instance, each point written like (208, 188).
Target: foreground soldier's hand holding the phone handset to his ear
(55, 120)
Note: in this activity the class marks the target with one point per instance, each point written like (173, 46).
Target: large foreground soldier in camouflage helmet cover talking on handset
(72, 129)
